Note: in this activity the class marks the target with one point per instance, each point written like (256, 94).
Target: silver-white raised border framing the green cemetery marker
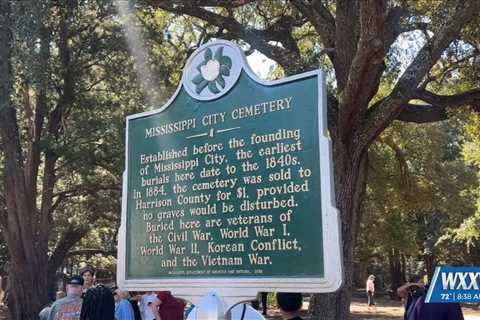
(233, 290)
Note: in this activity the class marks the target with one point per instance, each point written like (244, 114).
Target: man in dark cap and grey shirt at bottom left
(69, 308)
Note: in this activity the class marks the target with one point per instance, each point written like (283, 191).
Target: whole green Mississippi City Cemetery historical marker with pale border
(228, 187)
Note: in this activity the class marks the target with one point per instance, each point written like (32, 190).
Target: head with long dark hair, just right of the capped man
(98, 304)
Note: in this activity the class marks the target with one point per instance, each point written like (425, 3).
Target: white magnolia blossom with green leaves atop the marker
(212, 71)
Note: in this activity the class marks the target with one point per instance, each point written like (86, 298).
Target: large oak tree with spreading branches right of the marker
(357, 38)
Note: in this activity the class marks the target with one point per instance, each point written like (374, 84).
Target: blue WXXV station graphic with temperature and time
(455, 284)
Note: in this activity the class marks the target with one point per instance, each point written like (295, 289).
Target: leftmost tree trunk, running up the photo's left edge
(28, 271)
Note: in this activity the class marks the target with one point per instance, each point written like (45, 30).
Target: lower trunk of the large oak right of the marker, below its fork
(350, 185)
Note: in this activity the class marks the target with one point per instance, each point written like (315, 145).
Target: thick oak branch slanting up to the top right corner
(382, 114)
